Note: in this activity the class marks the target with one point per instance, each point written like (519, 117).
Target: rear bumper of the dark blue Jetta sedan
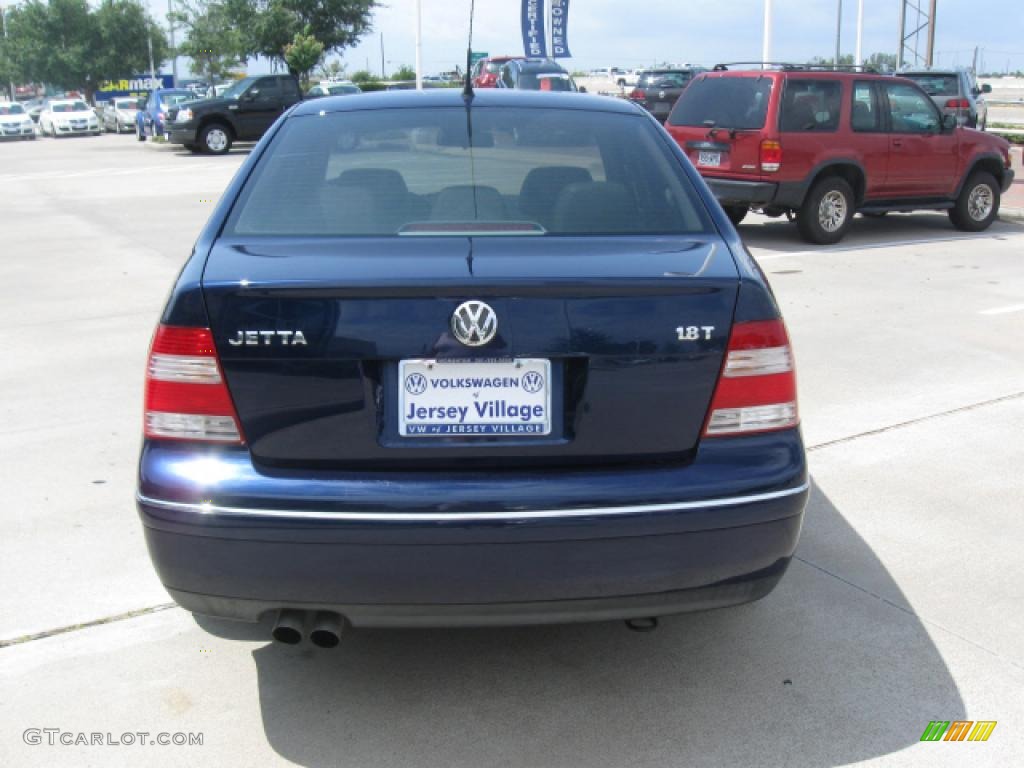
(418, 562)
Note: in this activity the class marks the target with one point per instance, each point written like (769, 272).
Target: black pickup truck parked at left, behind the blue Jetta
(243, 113)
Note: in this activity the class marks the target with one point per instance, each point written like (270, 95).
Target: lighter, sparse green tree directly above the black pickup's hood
(212, 42)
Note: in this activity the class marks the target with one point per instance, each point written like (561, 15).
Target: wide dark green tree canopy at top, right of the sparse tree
(270, 26)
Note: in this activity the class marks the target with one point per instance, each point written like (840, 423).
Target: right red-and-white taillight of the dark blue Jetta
(757, 392)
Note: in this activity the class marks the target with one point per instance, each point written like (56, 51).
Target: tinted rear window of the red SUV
(724, 102)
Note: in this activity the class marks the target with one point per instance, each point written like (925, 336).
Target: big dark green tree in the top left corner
(73, 47)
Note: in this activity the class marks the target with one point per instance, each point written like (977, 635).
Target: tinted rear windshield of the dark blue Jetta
(416, 173)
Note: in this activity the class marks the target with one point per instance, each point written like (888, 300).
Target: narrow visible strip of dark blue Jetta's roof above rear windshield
(483, 98)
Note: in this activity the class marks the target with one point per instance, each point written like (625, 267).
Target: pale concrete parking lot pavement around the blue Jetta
(905, 605)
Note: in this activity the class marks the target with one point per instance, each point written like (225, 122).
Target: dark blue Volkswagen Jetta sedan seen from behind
(441, 361)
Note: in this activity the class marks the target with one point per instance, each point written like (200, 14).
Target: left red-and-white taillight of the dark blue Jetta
(187, 398)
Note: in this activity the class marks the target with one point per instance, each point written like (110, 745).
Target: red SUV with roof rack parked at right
(826, 145)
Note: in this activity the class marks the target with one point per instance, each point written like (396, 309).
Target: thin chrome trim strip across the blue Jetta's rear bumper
(537, 515)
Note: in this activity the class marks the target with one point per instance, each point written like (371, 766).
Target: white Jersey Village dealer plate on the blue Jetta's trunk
(486, 398)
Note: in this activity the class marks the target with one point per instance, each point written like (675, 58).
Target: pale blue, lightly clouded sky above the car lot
(618, 33)
